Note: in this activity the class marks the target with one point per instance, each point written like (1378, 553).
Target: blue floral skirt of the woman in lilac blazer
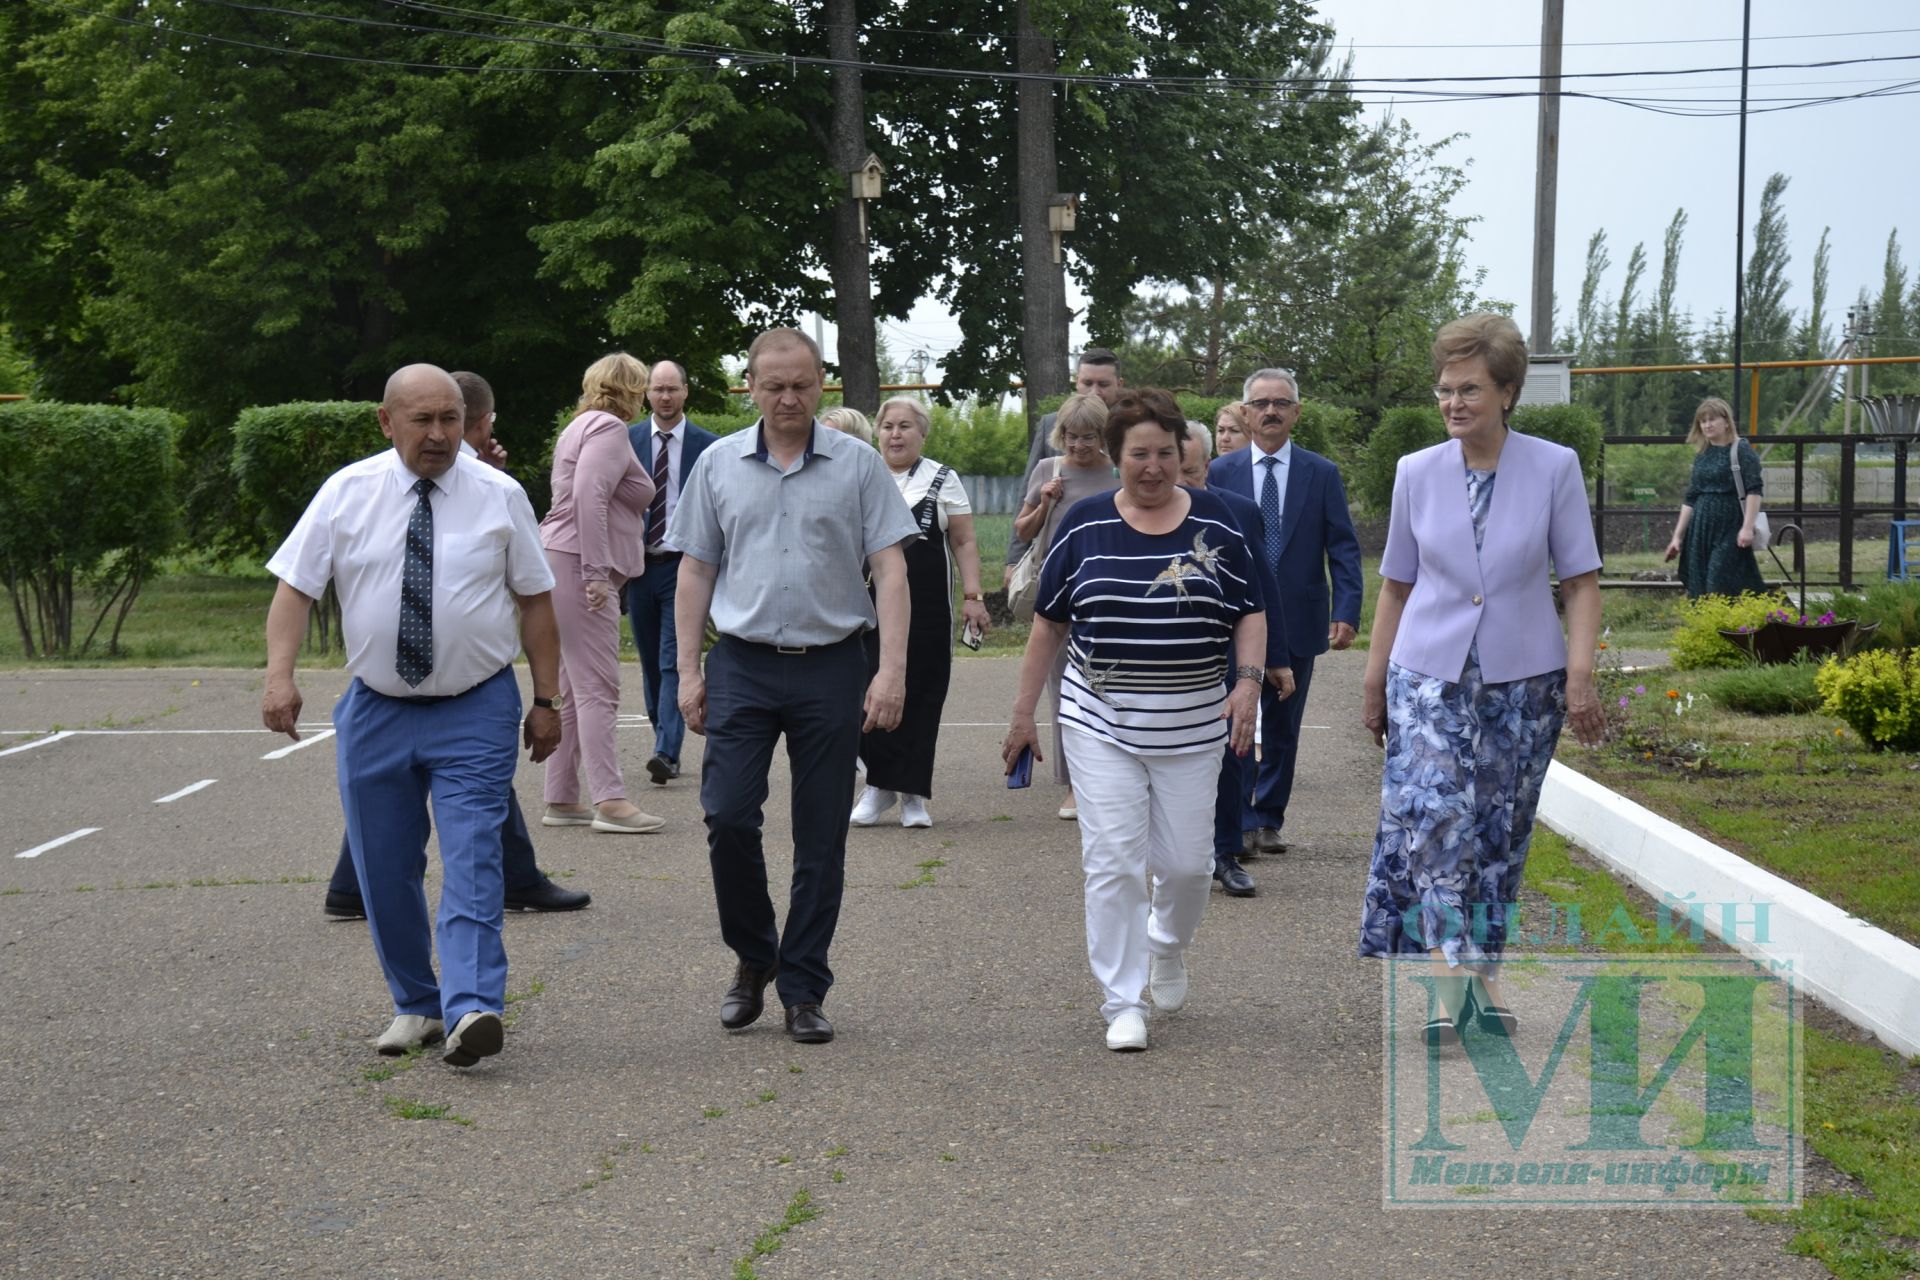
(1464, 769)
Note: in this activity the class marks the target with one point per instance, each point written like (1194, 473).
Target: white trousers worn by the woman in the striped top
(1147, 849)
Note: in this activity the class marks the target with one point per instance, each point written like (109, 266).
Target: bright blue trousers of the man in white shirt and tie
(393, 755)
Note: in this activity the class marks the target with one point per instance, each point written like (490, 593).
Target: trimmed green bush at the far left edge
(89, 500)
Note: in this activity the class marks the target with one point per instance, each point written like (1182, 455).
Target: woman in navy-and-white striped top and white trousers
(1155, 594)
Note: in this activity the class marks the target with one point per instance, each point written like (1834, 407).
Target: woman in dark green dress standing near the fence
(1716, 531)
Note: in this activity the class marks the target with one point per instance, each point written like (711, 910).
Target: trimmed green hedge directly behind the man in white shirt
(283, 454)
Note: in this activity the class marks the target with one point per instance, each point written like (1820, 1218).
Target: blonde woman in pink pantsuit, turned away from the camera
(596, 540)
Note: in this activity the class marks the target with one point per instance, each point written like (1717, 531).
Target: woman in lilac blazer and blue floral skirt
(1470, 676)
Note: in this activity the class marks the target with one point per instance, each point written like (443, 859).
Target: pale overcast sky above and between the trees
(1625, 170)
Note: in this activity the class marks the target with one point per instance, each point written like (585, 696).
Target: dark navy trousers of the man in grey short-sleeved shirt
(815, 699)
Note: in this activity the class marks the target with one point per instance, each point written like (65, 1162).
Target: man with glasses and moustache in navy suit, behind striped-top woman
(1301, 492)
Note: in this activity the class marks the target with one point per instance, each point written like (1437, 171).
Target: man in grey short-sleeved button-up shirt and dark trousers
(777, 527)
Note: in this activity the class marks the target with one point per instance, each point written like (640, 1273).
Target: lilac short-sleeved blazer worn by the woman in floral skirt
(1502, 596)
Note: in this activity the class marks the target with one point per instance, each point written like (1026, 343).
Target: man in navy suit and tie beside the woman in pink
(669, 444)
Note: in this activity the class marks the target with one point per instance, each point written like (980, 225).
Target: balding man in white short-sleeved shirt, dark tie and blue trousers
(431, 554)
